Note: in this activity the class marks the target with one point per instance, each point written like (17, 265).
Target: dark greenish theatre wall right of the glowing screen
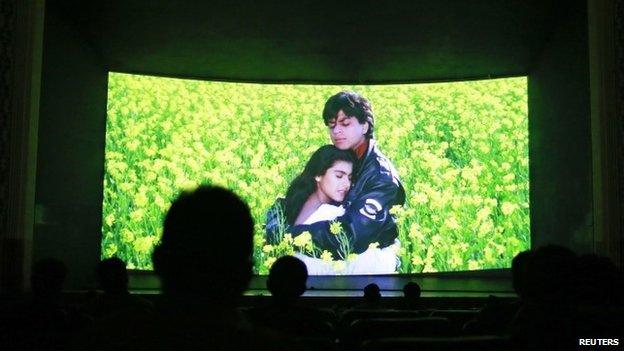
(560, 153)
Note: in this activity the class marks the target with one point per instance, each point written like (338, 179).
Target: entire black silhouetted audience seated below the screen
(204, 262)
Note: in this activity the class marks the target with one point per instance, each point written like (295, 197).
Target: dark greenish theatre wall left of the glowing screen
(70, 161)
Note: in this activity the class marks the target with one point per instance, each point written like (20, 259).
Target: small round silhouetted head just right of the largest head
(287, 278)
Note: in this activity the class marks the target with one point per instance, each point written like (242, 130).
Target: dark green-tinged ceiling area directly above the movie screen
(315, 41)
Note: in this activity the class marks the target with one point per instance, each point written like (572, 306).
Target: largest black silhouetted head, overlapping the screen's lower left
(206, 246)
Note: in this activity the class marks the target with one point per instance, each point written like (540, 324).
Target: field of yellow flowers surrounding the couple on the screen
(460, 150)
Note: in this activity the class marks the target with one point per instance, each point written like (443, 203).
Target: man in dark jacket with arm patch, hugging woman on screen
(375, 189)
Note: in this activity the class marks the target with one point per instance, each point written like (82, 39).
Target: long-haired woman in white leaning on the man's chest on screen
(317, 194)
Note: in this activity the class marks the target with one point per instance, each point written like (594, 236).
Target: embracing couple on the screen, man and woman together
(343, 197)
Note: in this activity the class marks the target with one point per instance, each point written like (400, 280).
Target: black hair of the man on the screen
(352, 104)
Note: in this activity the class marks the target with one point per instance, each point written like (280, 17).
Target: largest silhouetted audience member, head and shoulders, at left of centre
(204, 264)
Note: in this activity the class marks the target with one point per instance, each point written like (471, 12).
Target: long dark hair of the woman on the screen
(304, 184)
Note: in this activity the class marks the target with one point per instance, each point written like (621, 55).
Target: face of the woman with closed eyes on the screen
(335, 183)
